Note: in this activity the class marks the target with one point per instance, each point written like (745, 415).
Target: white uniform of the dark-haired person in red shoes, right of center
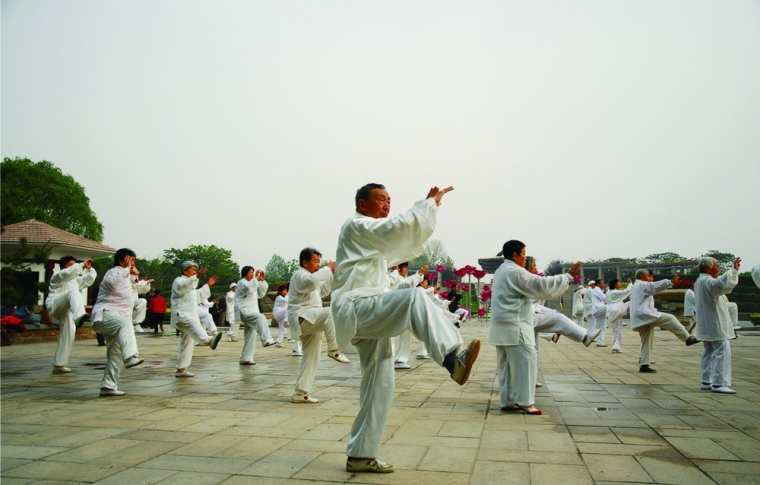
(512, 331)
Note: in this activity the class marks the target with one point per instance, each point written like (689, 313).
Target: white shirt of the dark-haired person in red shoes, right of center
(514, 289)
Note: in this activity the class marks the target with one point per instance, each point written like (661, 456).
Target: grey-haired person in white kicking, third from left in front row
(184, 316)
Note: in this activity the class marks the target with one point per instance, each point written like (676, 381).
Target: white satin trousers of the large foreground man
(378, 319)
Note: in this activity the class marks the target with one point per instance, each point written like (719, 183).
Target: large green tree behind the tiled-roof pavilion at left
(40, 190)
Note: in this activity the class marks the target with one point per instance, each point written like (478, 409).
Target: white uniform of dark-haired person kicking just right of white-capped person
(247, 312)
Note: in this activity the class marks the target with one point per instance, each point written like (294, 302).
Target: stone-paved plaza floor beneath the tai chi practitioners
(604, 422)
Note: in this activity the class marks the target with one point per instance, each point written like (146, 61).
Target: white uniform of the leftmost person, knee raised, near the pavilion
(66, 305)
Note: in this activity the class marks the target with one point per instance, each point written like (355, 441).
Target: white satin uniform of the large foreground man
(368, 315)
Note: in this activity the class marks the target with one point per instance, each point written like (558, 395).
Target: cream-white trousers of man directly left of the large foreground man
(311, 337)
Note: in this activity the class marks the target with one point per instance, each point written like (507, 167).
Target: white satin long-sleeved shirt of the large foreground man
(366, 248)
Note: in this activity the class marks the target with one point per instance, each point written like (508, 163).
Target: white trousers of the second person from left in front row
(121, 345)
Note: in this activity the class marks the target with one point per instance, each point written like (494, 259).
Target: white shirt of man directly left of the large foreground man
(305, 293)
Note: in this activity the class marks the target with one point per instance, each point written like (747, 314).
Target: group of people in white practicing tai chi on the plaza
(369, 308)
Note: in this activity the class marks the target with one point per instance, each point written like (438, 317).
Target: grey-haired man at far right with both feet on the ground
(715, 324)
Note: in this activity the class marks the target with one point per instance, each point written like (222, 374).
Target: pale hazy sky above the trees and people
(587, 129)
